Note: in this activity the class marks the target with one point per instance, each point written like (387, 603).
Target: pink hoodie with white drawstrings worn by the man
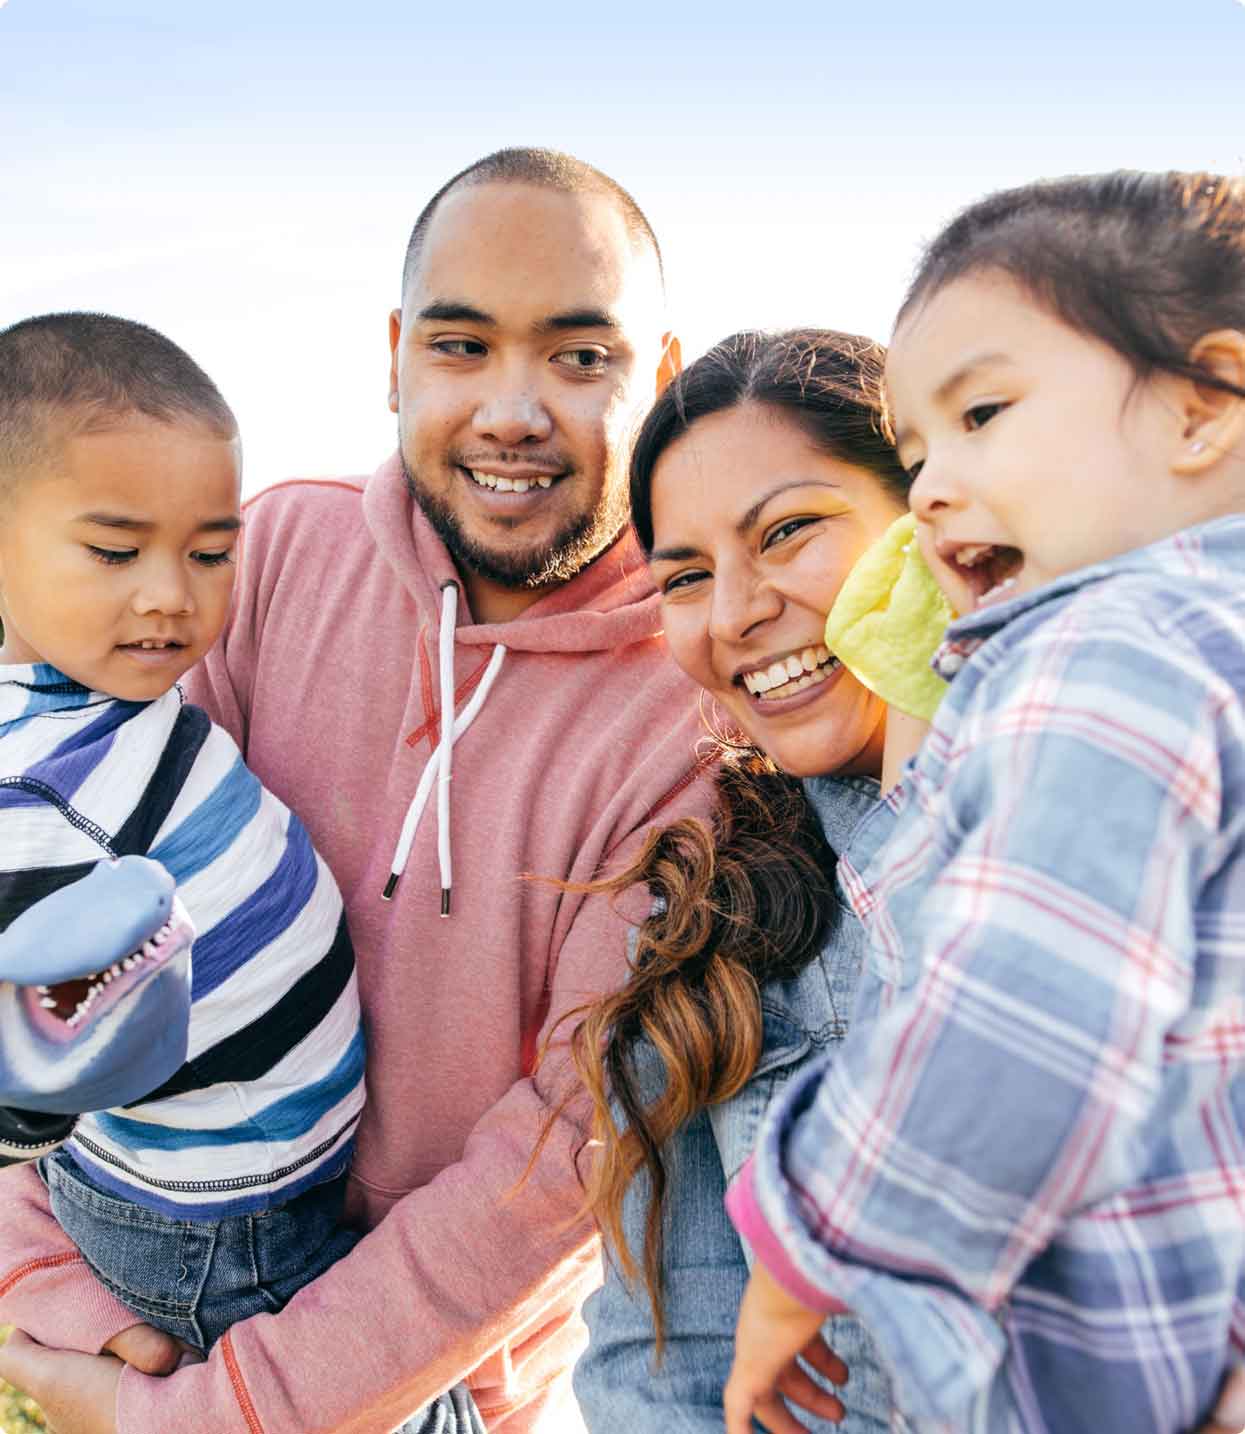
(328, 678)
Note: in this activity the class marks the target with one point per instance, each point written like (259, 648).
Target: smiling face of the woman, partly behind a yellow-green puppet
(754, 533)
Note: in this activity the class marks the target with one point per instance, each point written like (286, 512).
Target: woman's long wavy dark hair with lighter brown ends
(744, 901)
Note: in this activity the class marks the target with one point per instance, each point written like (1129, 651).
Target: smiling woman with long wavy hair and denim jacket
(758, 480)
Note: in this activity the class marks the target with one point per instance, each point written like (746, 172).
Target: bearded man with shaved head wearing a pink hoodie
(481, 590)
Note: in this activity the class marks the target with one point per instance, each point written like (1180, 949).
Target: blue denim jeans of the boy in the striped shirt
(197, 1278)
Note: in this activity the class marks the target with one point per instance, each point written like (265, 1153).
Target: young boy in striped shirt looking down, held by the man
(219, 1195)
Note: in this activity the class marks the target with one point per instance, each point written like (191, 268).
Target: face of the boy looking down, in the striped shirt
(117, 557)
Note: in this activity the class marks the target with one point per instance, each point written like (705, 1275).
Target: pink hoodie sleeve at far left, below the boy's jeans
(45, 1286)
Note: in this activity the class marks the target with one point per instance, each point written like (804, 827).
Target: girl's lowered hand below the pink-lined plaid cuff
(772, 1331)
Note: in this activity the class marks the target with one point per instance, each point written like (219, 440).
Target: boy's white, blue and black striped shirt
(272, 1089)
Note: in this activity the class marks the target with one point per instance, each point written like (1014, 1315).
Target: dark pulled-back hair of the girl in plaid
(1147, 263)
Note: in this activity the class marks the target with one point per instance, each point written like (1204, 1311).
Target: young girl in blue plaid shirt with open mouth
(1025, 1171)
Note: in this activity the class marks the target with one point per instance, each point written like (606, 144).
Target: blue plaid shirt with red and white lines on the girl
(1025, 1172)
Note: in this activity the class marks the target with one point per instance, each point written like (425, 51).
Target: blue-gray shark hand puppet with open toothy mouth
(95, 1000)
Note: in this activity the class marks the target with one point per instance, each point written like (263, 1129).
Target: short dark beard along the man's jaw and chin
(584, 537)
